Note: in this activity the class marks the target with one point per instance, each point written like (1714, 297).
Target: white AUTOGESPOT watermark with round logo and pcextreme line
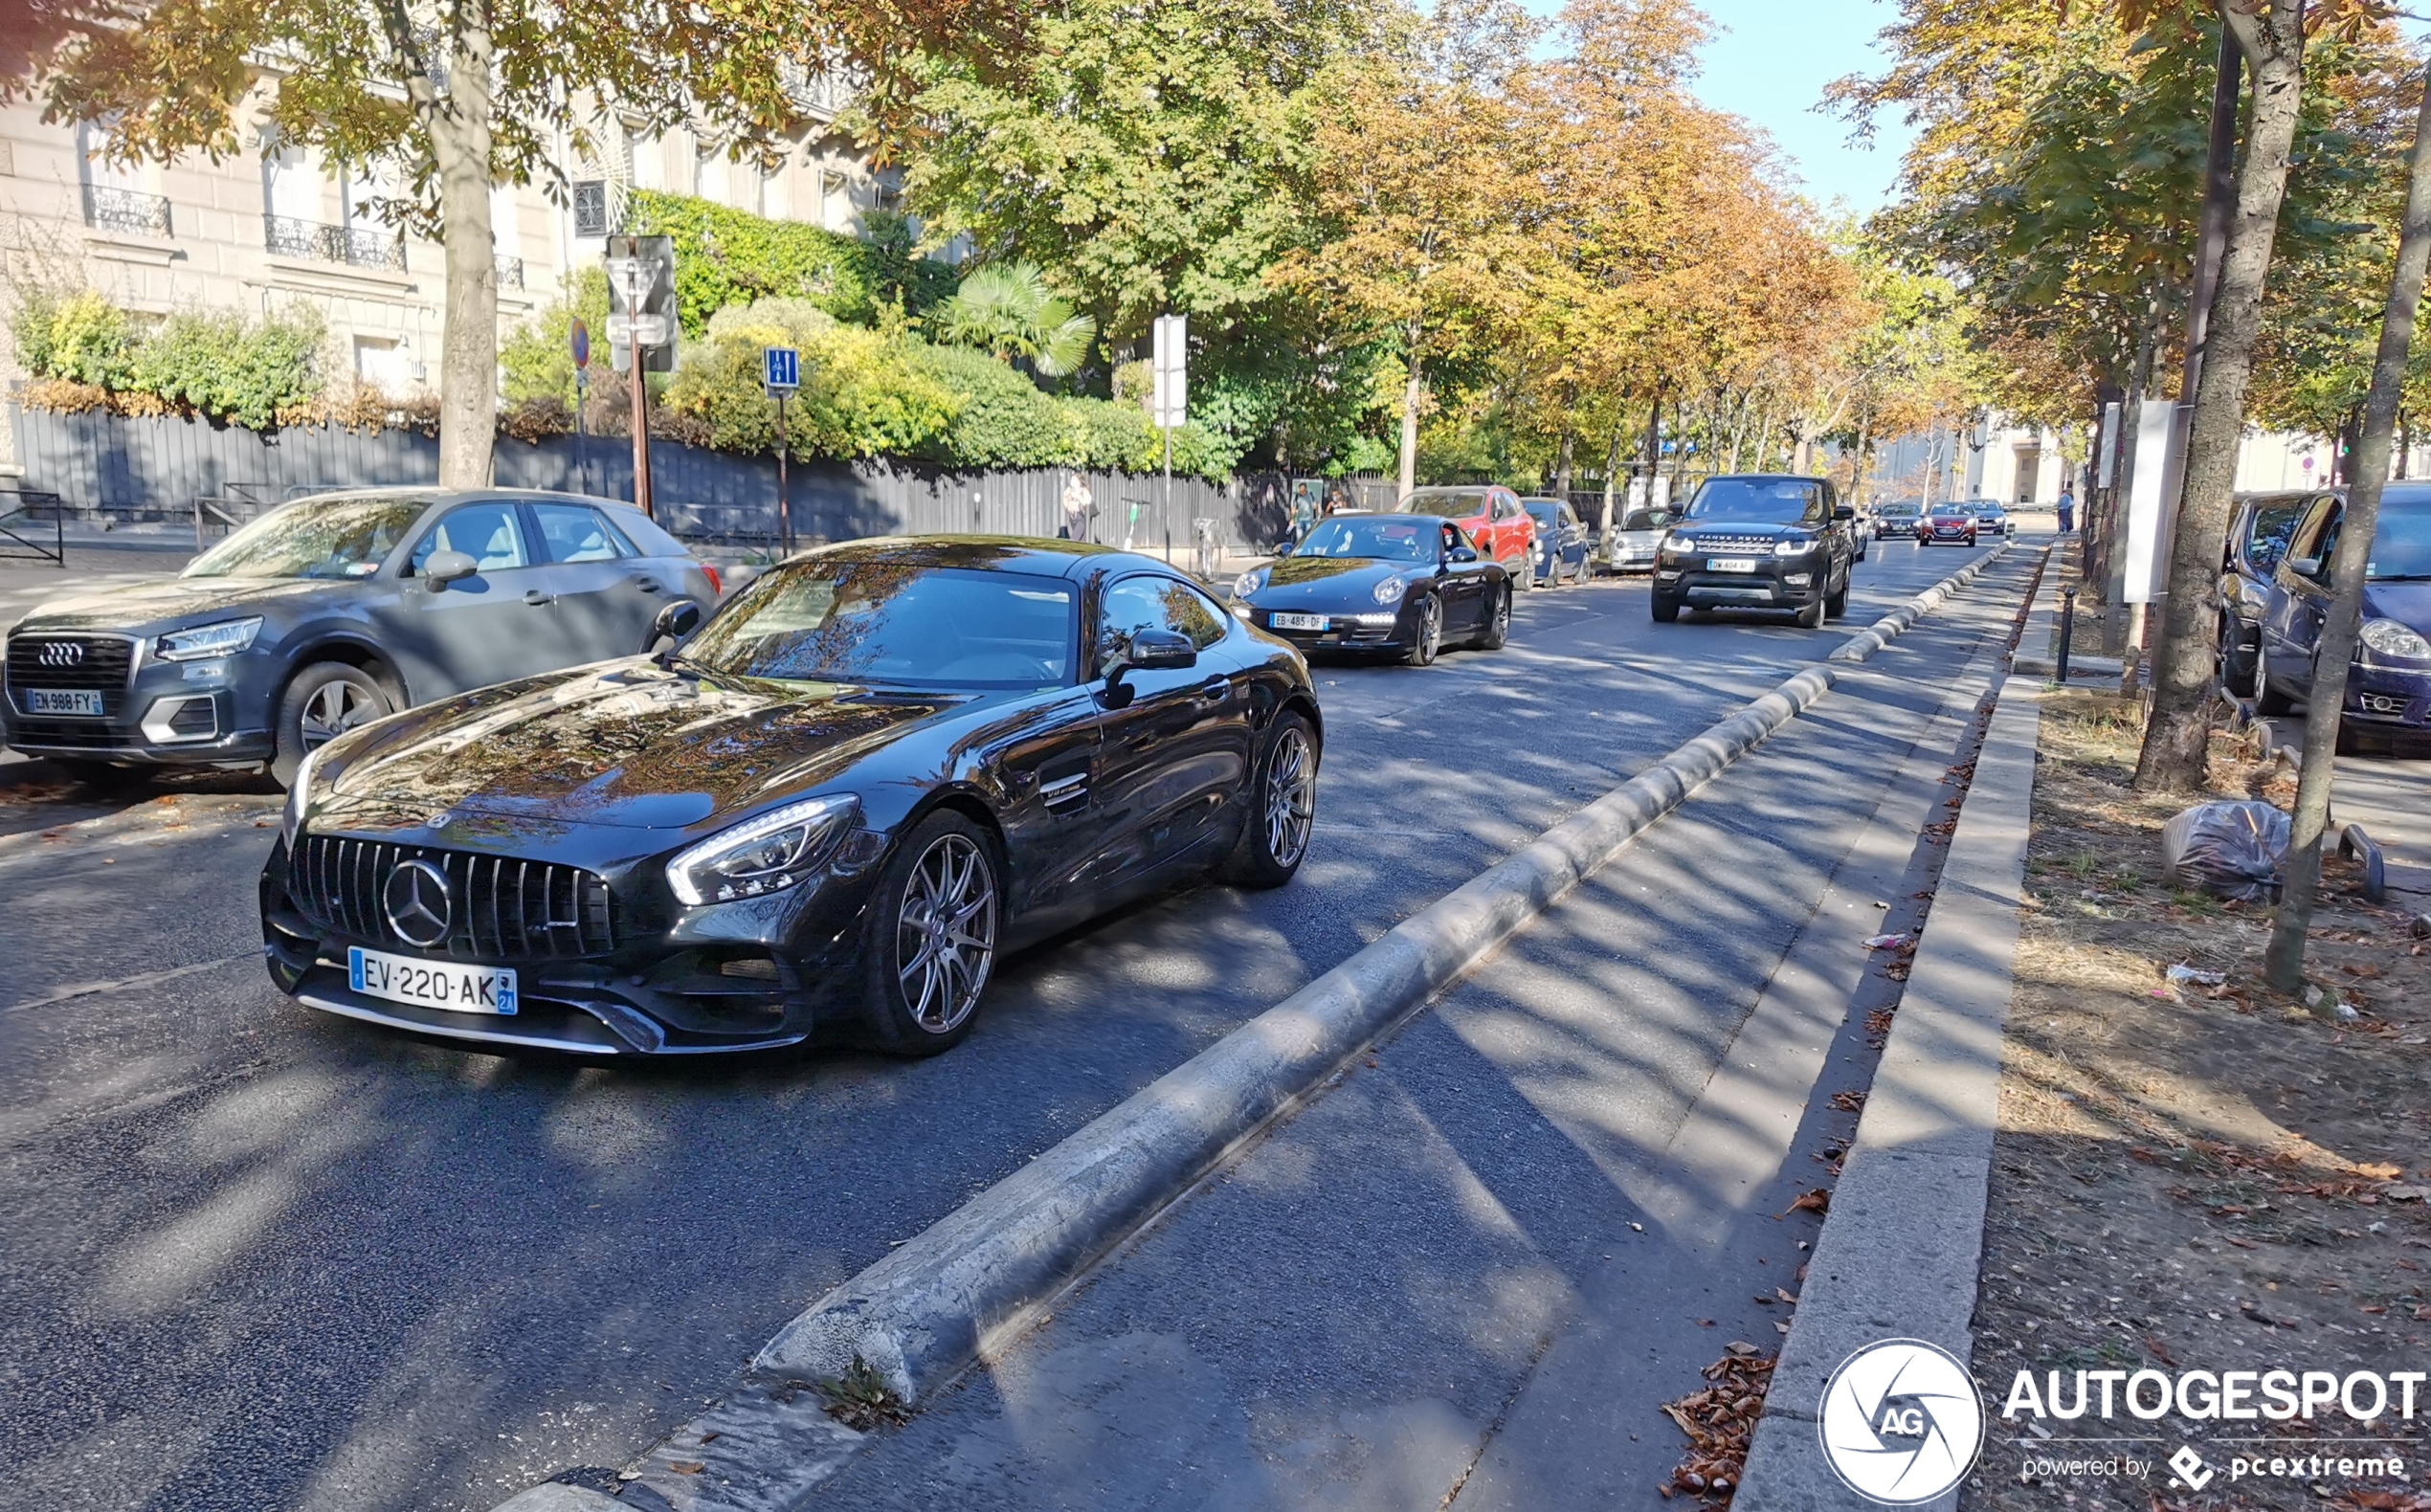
(1905, 1423)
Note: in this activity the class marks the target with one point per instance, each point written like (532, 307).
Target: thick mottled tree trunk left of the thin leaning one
(2177, 740)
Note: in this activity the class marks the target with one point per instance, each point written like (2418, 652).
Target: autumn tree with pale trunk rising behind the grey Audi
(451, 98)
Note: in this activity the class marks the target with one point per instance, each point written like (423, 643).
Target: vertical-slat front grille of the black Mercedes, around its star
(497, 908)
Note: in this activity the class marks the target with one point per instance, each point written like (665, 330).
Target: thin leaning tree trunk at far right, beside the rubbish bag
(2284, 964)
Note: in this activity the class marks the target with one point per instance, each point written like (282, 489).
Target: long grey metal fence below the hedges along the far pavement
(162, 468)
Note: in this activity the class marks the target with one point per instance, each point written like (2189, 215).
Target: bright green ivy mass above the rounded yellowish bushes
(733, 256)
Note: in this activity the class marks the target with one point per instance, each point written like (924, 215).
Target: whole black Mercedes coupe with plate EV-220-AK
(833, 808)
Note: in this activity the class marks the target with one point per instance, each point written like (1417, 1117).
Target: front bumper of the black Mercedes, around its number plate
(662, 988)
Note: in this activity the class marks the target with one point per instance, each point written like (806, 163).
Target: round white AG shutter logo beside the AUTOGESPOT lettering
(1902, 1423)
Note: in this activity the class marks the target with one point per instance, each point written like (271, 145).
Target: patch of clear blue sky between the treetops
(1771, 62)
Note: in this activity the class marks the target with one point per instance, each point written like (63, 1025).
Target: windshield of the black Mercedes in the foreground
(893, 624)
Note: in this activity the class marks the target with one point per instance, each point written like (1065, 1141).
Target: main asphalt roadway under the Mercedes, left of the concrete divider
(254, 1258)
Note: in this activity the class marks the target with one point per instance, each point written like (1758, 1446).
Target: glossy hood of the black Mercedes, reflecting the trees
(624, 743)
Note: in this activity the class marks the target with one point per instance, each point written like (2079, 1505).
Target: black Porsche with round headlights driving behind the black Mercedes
(1399, 585)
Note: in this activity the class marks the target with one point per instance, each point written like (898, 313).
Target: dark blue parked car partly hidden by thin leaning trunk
(2388, 689)
